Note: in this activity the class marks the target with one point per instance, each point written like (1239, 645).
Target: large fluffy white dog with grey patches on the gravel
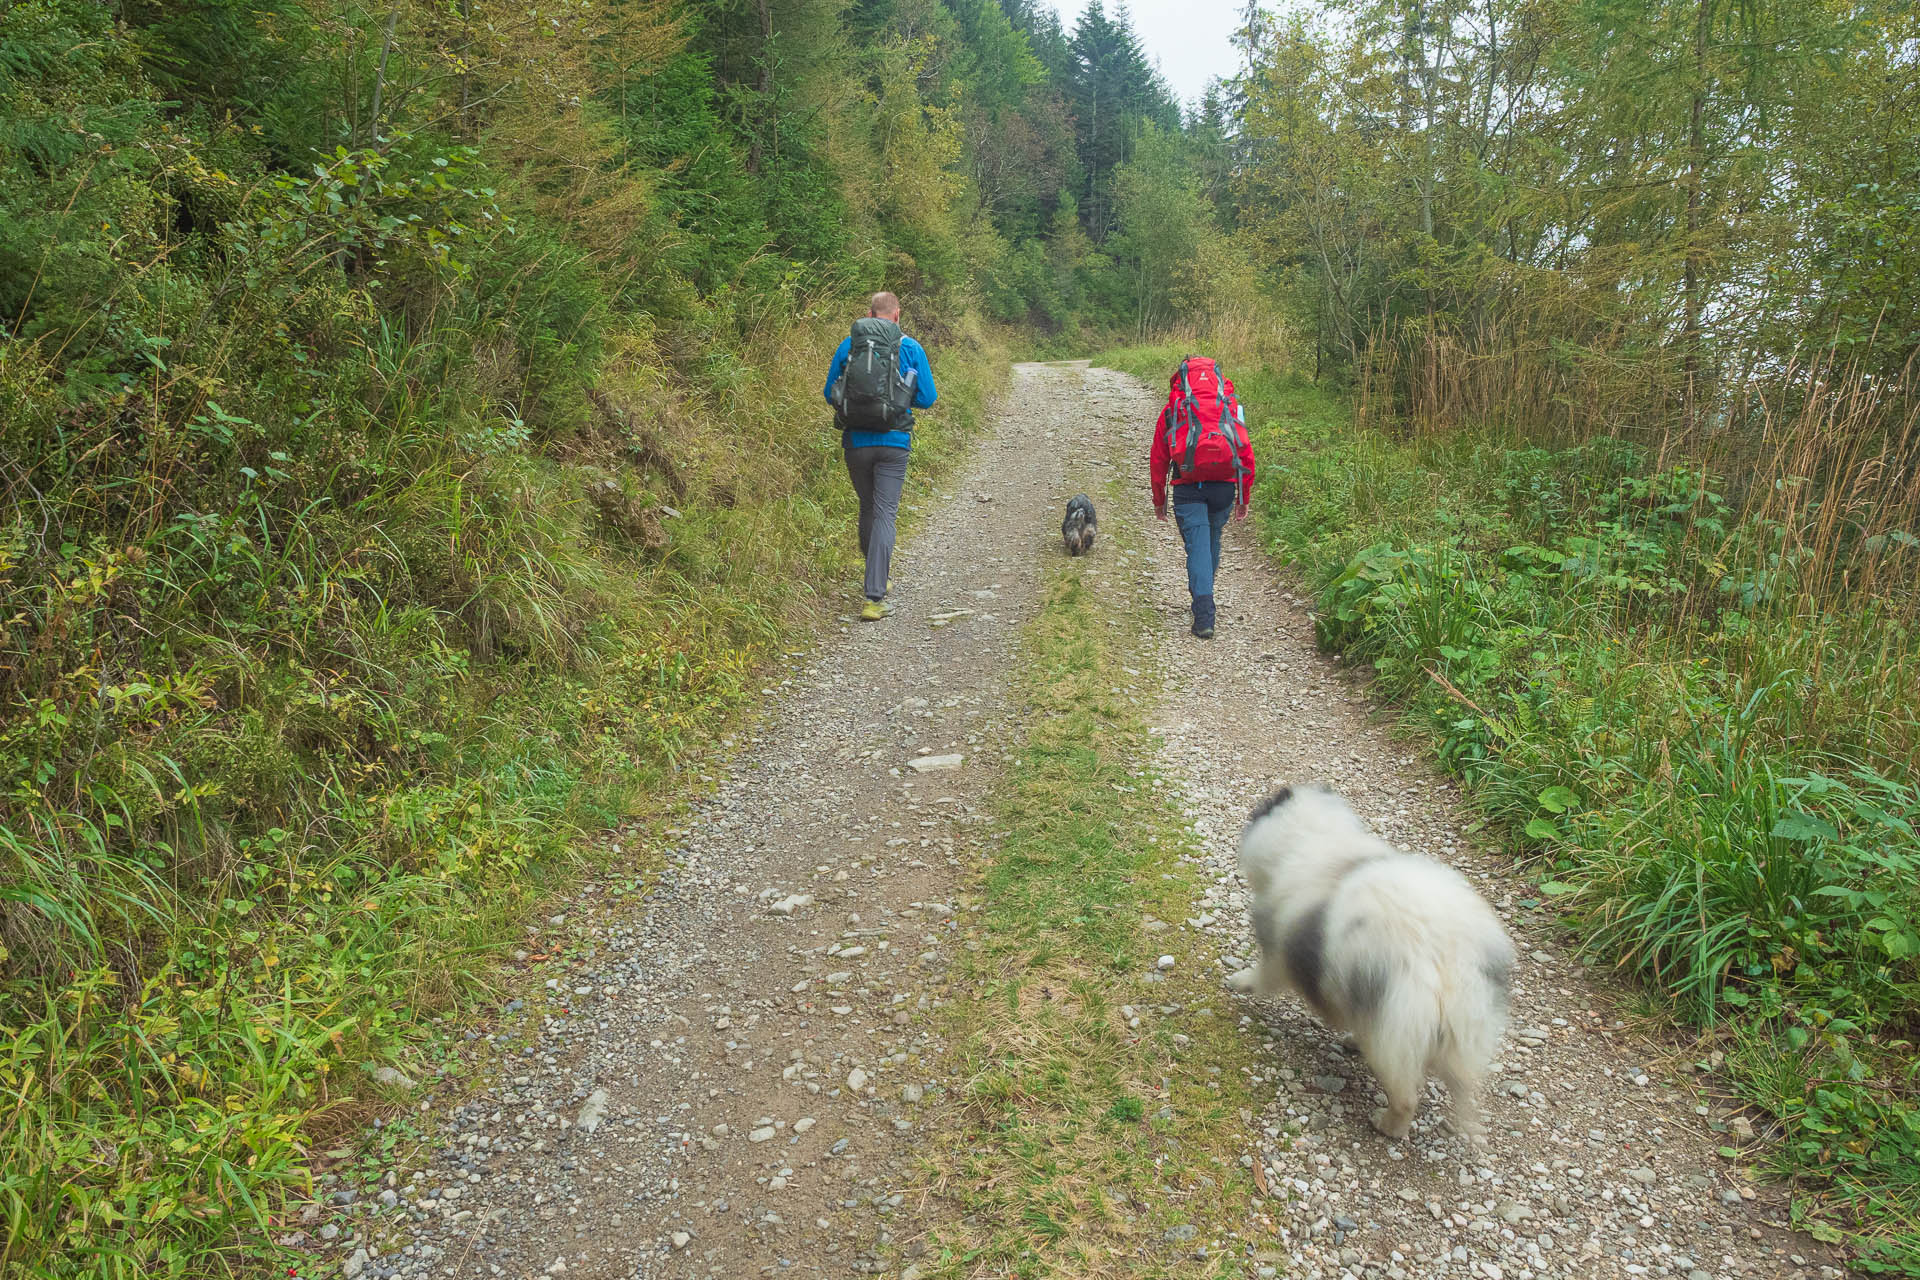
(1391, 947)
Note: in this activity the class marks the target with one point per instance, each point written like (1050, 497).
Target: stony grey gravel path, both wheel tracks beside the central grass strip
(721, 1072)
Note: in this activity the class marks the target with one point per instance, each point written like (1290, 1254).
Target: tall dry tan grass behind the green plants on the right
(1821, 458)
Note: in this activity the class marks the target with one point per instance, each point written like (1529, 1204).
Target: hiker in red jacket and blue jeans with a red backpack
(1203, 448)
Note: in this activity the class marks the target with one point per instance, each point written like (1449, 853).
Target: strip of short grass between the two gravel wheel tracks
(1103, 1104)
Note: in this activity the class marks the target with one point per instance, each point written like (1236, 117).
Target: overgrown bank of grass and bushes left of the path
(402, 481)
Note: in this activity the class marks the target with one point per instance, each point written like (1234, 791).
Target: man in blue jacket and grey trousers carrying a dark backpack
(876, 381)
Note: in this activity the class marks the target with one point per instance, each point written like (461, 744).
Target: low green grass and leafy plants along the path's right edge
(1706, 753)
